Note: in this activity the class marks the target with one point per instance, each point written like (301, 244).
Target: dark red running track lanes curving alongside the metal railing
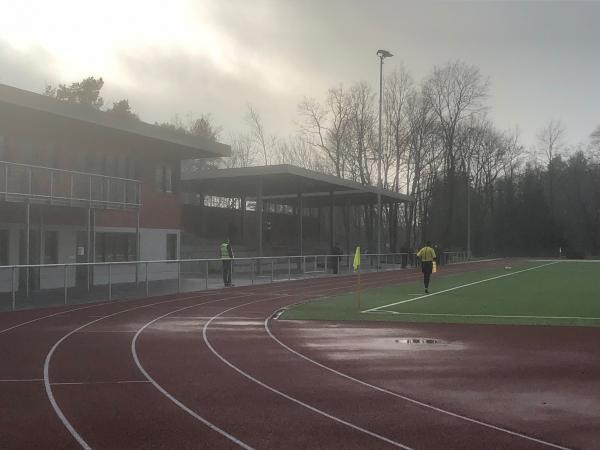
(211, 370)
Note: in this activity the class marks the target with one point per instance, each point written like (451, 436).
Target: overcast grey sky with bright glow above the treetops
(215, 56)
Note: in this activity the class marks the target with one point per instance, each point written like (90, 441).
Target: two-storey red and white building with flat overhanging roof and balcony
(79, 185)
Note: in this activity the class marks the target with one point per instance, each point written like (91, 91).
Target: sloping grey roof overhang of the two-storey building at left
(24, 104)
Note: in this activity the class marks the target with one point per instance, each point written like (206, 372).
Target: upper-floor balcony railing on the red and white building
(22, 182)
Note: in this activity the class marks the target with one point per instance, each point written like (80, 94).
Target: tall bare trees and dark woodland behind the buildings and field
(439, 145)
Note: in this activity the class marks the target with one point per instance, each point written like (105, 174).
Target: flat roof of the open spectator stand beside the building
(283, 184)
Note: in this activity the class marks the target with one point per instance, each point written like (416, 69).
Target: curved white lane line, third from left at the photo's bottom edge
(282, 394)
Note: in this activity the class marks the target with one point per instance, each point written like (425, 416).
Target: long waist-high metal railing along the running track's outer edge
(42, 285)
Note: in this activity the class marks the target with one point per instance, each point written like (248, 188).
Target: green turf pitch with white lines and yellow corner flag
(531, 292)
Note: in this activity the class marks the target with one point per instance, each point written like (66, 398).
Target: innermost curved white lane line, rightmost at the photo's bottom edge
(408, 399)
